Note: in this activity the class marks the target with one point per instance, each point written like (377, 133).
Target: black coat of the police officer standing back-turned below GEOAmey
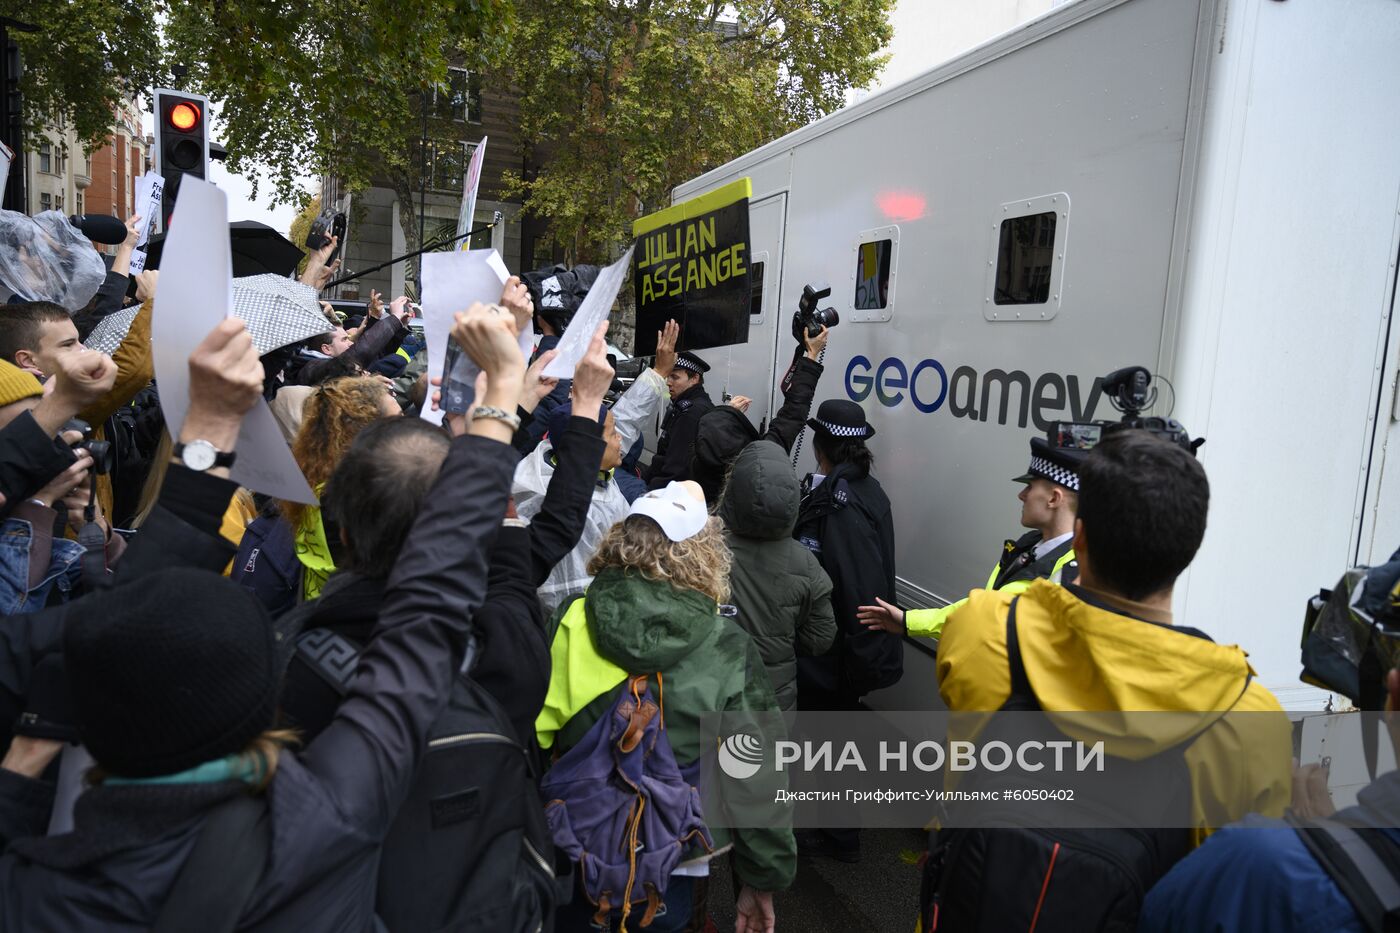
(846, 522)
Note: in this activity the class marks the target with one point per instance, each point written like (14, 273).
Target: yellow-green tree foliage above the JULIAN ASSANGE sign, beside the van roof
(625, 100)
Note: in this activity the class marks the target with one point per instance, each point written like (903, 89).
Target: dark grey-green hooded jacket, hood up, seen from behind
(783, 596)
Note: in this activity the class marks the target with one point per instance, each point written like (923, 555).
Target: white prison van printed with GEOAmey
(1210, 188)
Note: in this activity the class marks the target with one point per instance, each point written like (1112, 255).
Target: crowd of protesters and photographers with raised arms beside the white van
(429, 700)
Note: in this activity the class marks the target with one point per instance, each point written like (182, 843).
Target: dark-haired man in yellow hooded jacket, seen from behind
(1108, 644)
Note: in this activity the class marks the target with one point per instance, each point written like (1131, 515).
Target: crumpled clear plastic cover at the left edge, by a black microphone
(45, 258)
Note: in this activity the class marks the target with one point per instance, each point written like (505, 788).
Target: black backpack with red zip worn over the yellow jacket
(1053, 879)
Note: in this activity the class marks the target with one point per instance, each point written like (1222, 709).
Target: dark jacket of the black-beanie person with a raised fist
(331, 805)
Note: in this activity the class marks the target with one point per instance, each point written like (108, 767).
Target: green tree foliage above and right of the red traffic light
(339, 88)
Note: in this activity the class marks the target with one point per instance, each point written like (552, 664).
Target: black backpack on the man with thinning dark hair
(470, 848)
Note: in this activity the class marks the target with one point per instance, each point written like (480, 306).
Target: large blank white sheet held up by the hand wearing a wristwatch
(195, 295)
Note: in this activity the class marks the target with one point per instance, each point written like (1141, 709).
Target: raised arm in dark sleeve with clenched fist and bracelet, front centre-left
(369, 754)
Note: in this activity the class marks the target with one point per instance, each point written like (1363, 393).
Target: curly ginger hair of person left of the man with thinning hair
(335, 414)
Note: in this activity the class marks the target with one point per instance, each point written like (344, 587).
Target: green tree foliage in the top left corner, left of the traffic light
(86, 58)
